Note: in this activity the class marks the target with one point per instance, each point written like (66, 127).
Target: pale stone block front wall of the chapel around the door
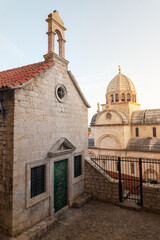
(40, 120)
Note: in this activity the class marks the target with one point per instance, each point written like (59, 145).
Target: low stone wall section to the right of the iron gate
(151, 197)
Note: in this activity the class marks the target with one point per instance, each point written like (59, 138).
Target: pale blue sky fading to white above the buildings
(101, 34)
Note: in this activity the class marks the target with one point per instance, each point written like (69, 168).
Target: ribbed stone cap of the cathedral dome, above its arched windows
(120, 83)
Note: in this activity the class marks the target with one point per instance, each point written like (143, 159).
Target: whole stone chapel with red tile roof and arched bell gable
(43, 137)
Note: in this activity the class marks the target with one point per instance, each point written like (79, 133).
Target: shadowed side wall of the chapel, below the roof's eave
(6, 160)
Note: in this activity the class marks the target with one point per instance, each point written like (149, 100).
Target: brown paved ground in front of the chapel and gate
(99, 220)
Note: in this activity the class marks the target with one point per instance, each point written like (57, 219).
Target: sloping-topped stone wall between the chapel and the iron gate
(99, 185)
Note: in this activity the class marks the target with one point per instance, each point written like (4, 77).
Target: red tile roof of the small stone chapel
(17, 76)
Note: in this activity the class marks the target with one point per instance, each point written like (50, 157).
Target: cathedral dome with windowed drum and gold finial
(120, 89)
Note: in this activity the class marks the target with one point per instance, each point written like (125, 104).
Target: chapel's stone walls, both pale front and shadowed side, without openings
(38, 120)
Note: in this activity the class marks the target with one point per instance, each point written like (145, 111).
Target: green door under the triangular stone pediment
(60, 184)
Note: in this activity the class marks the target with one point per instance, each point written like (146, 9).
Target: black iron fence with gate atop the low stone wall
(132, 173)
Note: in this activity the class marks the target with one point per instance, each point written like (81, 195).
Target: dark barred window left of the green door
(37, 180)
